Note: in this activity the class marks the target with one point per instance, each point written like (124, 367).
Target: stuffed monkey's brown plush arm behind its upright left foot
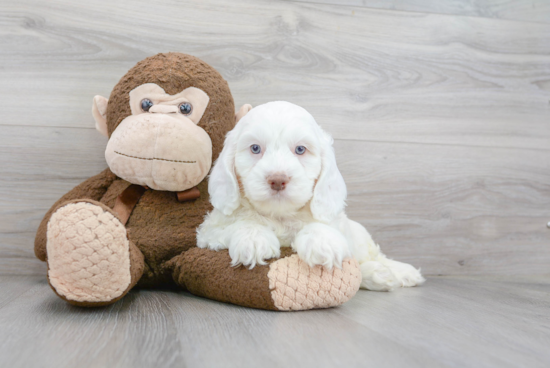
(93, 188)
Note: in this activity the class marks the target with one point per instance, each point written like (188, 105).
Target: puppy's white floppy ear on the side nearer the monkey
(222, 185)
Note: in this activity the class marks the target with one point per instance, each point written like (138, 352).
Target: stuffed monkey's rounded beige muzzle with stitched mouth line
(160, 151)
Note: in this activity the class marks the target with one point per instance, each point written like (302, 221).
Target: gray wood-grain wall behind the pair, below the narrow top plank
(441, 121)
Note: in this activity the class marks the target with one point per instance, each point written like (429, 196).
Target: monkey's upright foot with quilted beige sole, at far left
(91, 262)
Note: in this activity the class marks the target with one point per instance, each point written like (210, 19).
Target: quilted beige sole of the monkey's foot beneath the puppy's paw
(297, 286)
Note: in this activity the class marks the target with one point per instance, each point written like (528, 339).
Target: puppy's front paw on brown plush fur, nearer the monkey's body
(251, 245)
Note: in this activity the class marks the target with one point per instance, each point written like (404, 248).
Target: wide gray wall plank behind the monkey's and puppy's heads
(377, 75)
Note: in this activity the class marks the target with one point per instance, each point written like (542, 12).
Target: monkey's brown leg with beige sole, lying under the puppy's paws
(284, 284)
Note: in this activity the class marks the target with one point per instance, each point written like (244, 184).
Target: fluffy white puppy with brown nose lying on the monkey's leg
(276, 184)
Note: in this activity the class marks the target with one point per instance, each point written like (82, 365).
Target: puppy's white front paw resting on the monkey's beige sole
(319, 244)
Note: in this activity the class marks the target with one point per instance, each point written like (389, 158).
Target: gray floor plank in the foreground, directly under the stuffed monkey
(176, 329)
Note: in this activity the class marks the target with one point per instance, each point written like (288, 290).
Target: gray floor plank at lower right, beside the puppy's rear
(464, 322)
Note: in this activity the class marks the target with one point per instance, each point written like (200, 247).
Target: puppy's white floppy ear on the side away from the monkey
(329, 194)
